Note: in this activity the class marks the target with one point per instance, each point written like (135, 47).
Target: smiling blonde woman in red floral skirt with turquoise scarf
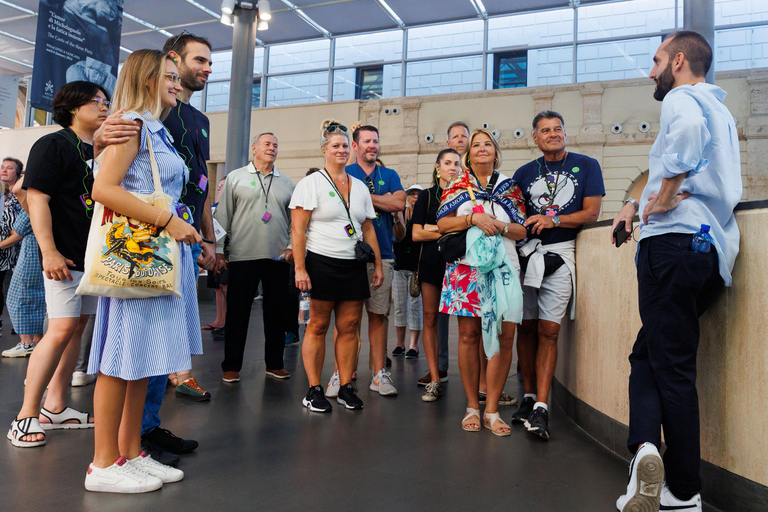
(482, 288)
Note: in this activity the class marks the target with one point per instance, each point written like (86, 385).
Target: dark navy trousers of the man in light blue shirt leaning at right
(675, 285)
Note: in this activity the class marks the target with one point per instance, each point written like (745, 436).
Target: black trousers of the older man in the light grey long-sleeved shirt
(244, 278)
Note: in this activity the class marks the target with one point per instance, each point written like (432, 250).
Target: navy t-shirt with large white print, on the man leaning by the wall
(559, 188)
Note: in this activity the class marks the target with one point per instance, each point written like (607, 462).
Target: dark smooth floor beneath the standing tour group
(261, 450)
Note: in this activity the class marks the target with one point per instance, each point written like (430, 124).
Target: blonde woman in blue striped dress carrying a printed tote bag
(135, 339)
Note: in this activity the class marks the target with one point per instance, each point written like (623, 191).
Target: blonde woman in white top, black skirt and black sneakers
(331, 212)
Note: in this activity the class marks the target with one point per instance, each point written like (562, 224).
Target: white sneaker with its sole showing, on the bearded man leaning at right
(646, 477)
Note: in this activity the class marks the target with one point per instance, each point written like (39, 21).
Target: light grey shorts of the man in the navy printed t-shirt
(549, 302)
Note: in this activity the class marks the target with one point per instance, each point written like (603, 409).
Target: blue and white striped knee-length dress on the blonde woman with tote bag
(137, 338)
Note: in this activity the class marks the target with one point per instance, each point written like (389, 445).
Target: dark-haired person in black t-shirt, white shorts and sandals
(59, 182)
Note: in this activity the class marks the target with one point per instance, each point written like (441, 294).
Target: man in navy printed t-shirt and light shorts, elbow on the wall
(563, 191)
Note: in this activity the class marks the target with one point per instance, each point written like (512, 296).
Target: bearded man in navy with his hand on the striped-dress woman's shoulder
(189, 129)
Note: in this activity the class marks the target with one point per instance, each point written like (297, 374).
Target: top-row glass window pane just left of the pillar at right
(626, 18)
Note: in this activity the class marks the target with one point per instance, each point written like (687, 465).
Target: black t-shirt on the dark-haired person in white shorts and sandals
(60, 166)
